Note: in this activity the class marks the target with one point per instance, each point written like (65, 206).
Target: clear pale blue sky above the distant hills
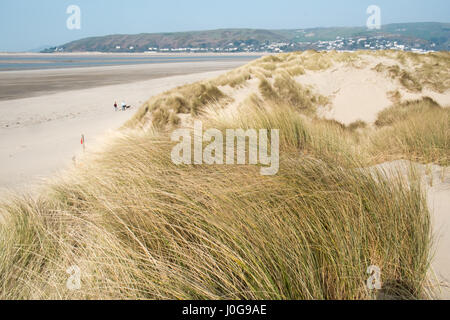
(28, 24)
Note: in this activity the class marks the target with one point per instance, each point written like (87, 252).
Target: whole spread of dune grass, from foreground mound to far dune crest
(140, 227)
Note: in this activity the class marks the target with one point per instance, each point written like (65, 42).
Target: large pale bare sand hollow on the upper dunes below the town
(360, 93)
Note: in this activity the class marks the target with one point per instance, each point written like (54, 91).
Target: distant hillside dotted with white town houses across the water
(408, 36)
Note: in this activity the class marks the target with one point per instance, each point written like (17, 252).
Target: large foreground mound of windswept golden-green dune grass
(140, 227)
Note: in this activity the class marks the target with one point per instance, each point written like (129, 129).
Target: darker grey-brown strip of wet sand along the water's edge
(33, 83)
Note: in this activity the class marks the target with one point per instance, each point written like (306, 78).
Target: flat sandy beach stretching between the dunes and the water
(45, 112)
